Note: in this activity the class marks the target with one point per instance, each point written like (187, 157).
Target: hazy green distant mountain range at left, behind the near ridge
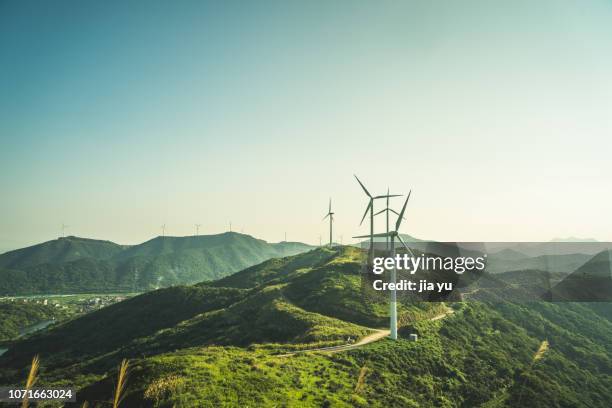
(75, 265)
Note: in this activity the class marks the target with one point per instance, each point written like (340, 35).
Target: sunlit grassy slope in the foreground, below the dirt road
(480, 356)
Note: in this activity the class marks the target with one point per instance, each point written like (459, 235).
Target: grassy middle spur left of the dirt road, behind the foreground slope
(181, 317)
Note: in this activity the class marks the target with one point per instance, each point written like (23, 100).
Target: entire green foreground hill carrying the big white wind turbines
(230, 343)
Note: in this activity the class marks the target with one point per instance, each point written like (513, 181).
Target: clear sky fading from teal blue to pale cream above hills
(119, 116)
